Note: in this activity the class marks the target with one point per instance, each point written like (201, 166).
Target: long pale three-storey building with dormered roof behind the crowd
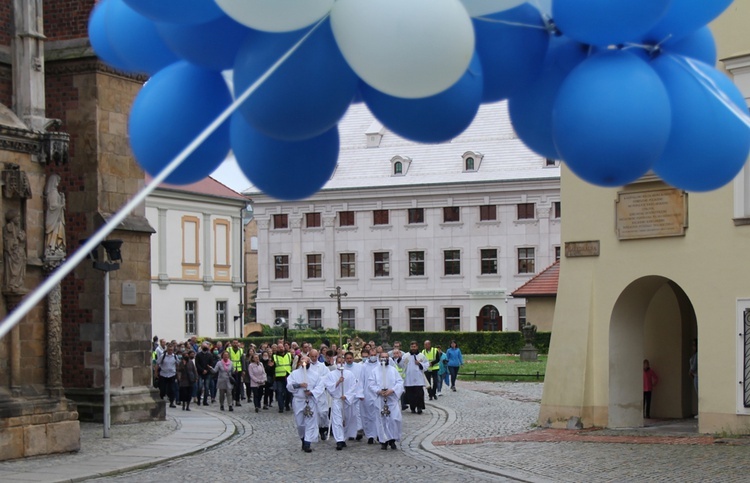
(421, 237)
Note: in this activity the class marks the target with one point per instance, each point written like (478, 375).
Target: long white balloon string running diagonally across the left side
(93, 242)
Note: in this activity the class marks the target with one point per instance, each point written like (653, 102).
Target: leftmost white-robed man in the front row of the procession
(306, 387)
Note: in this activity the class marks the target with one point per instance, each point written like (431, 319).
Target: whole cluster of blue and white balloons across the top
(614, 88)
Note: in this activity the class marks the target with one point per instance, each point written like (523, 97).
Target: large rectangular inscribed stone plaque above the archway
(651, 214)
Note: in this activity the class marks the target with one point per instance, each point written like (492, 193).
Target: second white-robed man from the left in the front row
(343, 387)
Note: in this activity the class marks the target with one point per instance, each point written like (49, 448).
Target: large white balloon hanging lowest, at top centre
(405, 48)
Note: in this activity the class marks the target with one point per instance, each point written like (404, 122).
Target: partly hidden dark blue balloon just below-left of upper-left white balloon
(212, 45)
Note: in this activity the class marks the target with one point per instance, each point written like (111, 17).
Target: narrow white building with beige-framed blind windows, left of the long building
(196, 261)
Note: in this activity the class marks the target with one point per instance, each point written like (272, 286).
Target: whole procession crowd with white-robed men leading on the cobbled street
(330, 393)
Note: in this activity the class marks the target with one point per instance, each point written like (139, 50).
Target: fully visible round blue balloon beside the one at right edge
(611, 119)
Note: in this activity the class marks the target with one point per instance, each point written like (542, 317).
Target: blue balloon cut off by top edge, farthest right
(686, 16)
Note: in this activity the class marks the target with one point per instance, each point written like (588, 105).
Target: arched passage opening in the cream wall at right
(652, 319)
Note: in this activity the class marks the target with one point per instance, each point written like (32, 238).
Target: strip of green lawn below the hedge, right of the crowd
(505, 367)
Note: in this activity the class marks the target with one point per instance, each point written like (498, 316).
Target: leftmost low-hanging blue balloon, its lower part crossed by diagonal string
(171, 110)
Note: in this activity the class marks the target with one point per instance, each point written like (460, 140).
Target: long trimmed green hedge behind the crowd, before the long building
(468, 342)
